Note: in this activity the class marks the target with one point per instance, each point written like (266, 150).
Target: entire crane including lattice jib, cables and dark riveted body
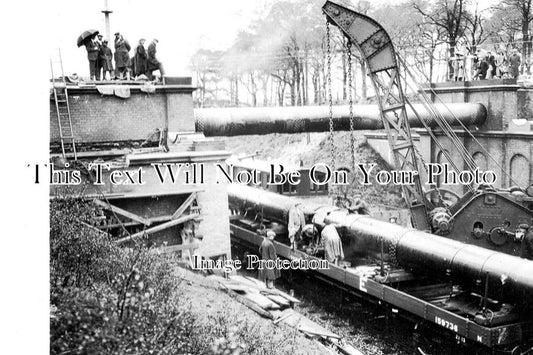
(389, 74)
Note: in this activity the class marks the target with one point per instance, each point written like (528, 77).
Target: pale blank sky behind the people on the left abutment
(181, 27)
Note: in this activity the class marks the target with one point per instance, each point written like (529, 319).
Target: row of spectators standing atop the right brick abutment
(483, 66)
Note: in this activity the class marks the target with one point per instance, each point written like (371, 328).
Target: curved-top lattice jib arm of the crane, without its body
(378, 52)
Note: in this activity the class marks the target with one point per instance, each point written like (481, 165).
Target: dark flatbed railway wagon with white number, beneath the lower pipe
(462, 315)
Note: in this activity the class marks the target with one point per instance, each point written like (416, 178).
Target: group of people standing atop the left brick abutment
(141, 65)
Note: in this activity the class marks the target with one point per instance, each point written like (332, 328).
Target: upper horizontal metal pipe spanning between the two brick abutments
(266, 120)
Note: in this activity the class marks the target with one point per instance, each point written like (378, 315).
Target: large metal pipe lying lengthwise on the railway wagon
(509, 276)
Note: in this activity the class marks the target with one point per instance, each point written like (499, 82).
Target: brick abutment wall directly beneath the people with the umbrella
(98, 118)
